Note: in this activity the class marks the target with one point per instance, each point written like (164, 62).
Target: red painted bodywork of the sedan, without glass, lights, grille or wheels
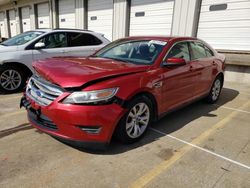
(180, 84)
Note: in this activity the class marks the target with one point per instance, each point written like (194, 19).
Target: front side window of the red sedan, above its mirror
(180, 50)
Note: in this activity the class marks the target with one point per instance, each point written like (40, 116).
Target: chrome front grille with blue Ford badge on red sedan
(41, 91)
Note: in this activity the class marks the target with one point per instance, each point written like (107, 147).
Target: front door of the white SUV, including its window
(55, 44)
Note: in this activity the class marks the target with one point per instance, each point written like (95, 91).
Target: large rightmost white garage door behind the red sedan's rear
(225, 24)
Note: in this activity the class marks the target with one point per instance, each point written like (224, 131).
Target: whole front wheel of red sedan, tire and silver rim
(133, 125)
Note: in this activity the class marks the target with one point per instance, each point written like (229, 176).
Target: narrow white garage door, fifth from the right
(43, 20)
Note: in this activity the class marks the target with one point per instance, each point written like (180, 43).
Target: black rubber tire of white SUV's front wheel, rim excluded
(22, 74)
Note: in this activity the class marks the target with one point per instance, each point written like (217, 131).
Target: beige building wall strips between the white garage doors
(184, 20)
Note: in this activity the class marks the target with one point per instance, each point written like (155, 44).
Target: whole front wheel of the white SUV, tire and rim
(12, 79)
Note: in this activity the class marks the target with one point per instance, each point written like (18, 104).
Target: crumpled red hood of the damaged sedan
(70, 72)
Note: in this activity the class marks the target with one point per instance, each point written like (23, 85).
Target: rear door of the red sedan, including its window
(201, 64)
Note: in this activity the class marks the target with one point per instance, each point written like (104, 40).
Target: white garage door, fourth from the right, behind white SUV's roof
(66, 13)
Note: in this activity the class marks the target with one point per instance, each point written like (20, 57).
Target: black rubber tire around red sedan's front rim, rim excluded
(121, 133)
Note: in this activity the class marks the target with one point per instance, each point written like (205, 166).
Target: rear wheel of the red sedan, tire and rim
(215, 91)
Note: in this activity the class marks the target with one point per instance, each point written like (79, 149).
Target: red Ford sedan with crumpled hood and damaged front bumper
(122, 88)
